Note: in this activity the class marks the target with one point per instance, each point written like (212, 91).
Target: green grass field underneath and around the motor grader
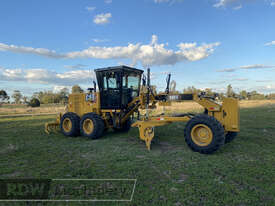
(240, 173)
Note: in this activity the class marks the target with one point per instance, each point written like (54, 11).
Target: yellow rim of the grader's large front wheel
(202, 135)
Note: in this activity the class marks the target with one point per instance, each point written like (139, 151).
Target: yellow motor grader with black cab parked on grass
(123, 93)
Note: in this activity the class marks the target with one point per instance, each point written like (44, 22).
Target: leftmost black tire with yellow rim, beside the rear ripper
(69, 124)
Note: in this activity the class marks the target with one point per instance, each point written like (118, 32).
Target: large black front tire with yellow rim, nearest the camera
(204, 134)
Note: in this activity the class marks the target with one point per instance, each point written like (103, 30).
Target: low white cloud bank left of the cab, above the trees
(44, 76)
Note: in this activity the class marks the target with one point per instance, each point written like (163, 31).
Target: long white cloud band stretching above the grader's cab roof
(146, 54)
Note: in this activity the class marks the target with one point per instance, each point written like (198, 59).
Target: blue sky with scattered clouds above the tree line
(205, 43)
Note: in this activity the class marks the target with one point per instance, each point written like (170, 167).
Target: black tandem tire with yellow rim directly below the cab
(92, 126)
